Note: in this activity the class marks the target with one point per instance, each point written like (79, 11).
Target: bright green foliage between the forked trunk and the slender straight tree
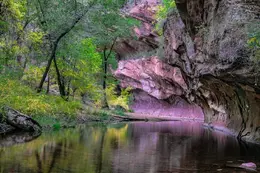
(82, 68)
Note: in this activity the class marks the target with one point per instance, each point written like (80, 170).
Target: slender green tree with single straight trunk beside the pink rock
(110, 26)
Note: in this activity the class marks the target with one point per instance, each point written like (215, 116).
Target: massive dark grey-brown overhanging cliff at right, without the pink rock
(208, 41)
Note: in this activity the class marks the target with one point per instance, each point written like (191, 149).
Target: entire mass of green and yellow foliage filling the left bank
(28, 31)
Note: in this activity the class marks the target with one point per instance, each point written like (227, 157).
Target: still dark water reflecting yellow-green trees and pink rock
(137, 147)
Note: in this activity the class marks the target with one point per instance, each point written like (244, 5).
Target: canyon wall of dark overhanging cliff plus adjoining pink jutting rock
(206, 62)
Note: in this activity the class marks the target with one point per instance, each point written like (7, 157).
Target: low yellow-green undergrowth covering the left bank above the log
(20, 97)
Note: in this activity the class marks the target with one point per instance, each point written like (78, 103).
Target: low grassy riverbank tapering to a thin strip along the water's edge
(87, 115)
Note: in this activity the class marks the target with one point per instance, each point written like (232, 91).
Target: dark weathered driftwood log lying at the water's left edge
(21, 121)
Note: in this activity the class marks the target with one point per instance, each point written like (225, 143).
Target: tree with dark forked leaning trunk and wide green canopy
(61, 19)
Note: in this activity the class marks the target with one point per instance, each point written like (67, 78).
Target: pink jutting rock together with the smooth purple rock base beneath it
(157, 88)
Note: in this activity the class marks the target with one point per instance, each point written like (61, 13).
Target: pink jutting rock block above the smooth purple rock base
(151, 75)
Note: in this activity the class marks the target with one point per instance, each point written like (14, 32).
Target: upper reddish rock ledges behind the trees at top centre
(147, 38)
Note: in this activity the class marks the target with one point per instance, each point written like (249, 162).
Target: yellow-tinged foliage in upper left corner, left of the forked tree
(18, 43)
